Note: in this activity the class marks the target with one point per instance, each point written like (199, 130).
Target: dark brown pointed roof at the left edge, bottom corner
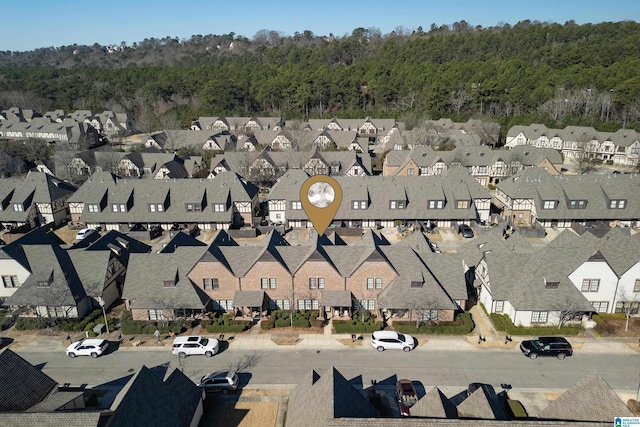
(22, 384)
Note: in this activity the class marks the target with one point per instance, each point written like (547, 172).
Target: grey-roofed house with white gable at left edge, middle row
(34, 200)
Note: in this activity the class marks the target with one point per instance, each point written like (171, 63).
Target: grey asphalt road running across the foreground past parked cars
(430, 368)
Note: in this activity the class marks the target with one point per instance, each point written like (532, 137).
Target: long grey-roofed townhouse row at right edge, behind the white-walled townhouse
(535, 196)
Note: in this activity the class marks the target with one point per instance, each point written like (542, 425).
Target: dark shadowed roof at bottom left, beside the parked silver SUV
(147, 400)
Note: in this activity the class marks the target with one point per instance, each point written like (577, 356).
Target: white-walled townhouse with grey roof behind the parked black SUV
(570, 278)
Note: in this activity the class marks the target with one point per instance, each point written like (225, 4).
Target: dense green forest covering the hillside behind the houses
(549, 73)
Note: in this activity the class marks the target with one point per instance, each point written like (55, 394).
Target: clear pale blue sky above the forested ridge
(31, 24)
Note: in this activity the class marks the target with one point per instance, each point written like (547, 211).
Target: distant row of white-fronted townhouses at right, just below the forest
(621, 147)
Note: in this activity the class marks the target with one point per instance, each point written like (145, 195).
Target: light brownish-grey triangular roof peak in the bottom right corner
(590, 399)
